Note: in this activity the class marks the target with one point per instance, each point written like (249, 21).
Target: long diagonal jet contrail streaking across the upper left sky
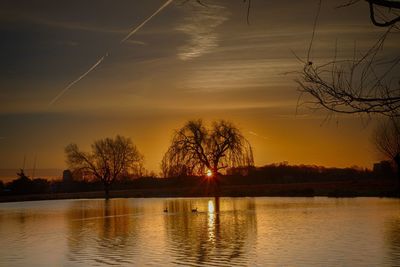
(132, 32)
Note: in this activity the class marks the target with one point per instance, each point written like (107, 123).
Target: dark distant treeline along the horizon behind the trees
(266, 175)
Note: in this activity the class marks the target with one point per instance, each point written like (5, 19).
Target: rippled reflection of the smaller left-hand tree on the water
(102, 231)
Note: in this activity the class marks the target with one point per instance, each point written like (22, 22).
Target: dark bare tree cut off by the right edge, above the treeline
(387, 140)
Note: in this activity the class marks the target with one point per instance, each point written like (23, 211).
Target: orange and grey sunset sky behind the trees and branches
(68, 74)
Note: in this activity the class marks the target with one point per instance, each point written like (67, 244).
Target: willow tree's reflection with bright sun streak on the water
(219, 232)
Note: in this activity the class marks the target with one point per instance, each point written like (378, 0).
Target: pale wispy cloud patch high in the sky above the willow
(200, 25)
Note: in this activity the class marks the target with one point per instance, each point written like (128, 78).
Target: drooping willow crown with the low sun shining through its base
(197, 150)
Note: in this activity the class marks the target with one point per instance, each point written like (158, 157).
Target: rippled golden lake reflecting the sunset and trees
(223, 232)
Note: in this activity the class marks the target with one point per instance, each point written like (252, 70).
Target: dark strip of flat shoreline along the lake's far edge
(328, 189)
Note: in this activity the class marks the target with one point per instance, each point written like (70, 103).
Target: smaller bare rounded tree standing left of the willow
(108, 160)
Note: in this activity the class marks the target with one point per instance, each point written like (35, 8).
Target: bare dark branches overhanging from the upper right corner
(367, 83)
